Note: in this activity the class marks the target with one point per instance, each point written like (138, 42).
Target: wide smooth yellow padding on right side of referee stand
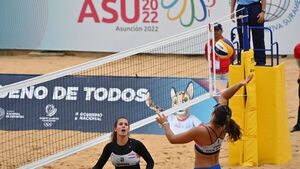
(273, 128)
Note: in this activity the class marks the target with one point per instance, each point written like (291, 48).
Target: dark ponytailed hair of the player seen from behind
(223, 118)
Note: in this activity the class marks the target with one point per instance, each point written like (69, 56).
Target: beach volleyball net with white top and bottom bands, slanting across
(48, 117)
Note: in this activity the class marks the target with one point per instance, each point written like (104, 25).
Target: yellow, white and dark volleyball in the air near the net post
(224, 48)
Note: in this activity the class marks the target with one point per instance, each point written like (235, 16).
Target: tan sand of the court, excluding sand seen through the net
(165, 155)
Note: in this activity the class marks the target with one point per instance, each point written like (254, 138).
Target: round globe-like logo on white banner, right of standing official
(275, 9)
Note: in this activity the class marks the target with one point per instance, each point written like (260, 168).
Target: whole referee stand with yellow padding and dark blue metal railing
(262, 112)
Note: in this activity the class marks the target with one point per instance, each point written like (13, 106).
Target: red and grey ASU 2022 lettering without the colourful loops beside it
(112, 11)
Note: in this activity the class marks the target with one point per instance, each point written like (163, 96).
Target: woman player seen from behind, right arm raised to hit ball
(208, 138)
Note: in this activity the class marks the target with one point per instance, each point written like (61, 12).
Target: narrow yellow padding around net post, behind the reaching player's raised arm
(244, 152)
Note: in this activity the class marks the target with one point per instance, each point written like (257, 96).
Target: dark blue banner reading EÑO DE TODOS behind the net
(91, 103)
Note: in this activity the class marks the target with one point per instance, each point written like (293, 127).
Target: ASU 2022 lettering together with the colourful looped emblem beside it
(186, 12)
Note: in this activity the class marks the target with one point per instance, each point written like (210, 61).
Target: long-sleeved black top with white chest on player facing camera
(127, 156)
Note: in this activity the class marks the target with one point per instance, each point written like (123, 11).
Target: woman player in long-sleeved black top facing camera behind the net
(125, 152)
